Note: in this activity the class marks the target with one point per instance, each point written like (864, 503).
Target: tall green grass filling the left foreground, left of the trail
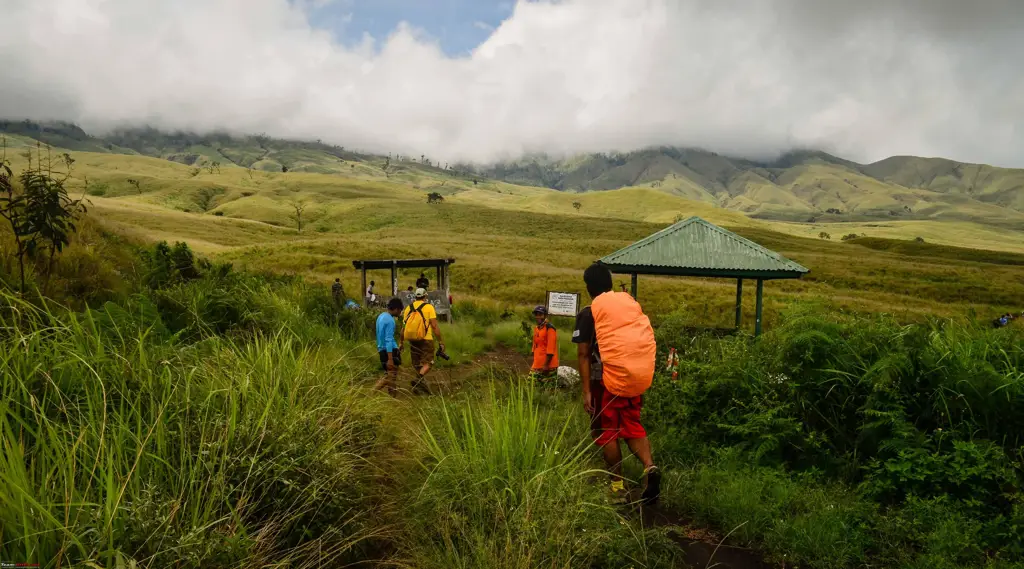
(120, 447)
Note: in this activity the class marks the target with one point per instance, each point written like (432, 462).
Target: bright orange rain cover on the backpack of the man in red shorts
(627, 343)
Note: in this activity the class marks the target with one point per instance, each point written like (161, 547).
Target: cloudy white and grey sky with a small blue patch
(485, 80)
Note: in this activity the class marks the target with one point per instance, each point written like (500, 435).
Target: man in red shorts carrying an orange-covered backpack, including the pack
(628, 354)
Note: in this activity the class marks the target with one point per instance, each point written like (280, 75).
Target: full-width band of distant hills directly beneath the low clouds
(801, 187)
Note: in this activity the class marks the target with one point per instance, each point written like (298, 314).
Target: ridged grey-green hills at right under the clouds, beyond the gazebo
(798, 187)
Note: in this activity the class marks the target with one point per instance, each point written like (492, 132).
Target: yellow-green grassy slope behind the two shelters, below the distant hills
(516, 243)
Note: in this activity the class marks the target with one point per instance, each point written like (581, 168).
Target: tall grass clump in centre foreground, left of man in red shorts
(506, 482)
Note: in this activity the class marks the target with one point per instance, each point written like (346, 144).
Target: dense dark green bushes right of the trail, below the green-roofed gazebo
(899, 423)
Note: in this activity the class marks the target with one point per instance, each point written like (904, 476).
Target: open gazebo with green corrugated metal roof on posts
(697, 248)
